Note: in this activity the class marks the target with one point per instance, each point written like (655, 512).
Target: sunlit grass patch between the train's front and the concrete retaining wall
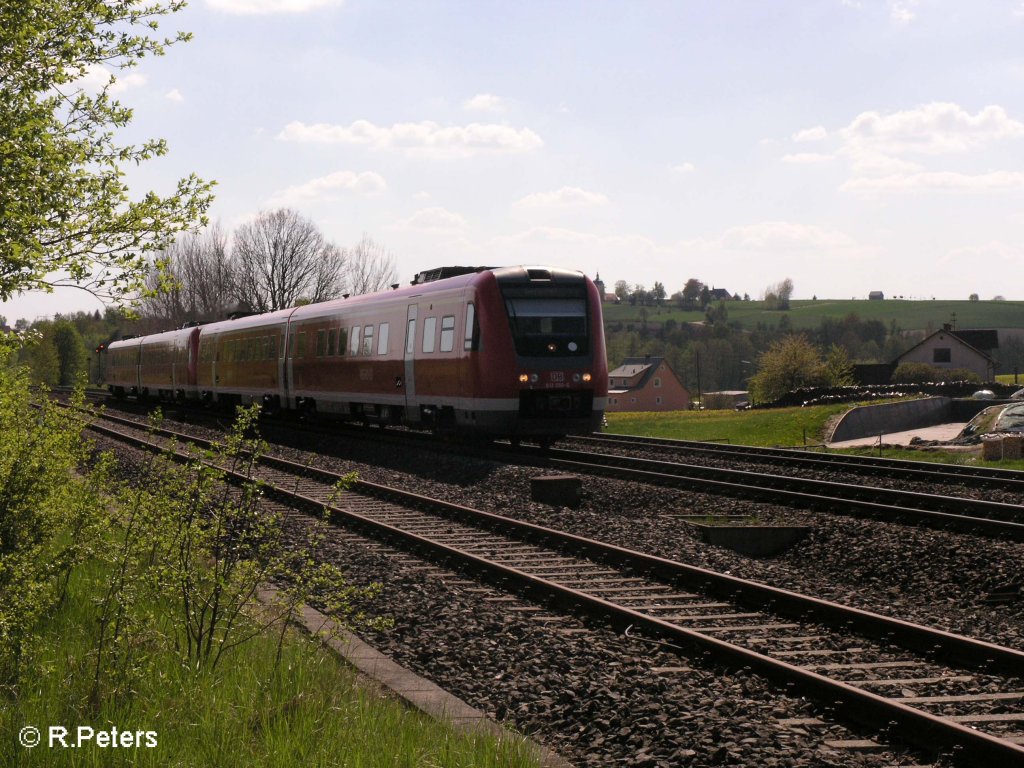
(788, 426)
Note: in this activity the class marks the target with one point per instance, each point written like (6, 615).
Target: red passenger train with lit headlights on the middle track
(509, 352)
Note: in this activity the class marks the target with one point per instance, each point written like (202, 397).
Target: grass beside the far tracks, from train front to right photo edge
(772, 428)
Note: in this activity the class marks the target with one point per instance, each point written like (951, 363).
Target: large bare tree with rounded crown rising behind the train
(281, 258)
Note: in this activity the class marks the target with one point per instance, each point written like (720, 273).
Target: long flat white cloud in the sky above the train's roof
(426, 139)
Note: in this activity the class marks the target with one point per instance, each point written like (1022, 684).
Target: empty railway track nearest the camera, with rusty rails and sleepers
(907, 684)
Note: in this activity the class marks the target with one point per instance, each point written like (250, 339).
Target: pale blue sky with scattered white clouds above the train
(847, 145)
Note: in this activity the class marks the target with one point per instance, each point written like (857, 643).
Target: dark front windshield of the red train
(548, 326)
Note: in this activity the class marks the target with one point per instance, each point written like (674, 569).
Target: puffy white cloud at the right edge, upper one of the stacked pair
(932, 130)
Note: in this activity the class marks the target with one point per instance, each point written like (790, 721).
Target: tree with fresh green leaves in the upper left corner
(68, 218)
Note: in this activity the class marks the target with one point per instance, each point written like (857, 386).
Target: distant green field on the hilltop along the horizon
(910, 316)
